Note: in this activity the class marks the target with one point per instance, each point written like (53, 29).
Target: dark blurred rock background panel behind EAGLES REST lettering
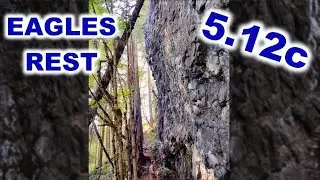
(43, 125)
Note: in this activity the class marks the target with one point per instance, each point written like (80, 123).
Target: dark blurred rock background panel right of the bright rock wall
(275, 115)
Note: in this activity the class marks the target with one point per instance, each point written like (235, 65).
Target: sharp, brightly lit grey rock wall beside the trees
(193, 85)
